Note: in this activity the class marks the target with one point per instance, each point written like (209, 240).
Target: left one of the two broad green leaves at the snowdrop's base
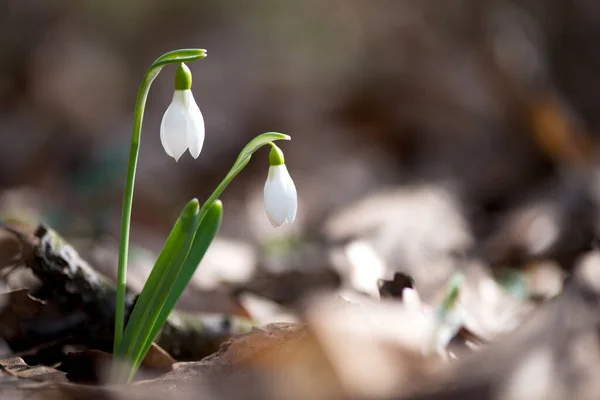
(175, 251)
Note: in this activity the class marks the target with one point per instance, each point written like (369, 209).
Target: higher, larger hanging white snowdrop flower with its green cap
(182, 126)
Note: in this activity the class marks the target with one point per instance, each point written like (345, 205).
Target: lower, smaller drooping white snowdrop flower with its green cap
(281, 199)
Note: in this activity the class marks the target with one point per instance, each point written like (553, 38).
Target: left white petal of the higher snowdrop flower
(173, 128)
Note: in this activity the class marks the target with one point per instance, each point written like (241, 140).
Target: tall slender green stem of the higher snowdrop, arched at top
(177, 56)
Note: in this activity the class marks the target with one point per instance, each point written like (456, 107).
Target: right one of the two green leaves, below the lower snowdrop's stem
(206, 232)
